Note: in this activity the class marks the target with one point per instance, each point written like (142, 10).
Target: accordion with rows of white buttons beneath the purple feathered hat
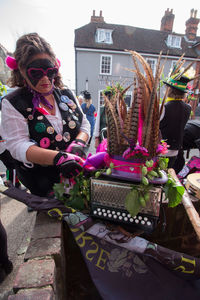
(108, 203)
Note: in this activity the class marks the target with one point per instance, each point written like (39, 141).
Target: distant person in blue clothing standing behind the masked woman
(90, 111)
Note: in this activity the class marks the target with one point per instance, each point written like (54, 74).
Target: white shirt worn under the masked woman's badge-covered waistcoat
(16, 133)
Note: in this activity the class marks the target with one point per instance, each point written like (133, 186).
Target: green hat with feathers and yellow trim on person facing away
(180, 76)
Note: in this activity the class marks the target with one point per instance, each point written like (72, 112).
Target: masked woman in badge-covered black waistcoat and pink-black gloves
(42, 123)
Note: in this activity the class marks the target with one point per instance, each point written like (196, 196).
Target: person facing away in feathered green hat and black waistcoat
(176, 112)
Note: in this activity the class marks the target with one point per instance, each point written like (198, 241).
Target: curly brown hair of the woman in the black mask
(27, 46)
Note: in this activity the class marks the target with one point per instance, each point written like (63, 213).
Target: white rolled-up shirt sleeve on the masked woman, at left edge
(15, 131)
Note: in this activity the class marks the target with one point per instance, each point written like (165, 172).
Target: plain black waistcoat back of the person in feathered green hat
(172, 125)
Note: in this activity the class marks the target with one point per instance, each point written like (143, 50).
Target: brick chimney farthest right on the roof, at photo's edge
(192, 25)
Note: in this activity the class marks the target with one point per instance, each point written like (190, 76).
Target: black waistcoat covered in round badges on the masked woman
(41, 130)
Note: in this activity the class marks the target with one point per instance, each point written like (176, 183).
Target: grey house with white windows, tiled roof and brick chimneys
(101, 58)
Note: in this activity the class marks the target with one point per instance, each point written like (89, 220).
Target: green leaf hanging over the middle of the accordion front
(132, 203)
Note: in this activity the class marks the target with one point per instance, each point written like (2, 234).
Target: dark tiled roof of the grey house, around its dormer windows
(132, 38)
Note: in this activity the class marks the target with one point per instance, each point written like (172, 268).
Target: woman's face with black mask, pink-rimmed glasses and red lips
(40, 73)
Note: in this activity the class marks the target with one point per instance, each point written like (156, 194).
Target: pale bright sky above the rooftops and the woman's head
(56, 21)
